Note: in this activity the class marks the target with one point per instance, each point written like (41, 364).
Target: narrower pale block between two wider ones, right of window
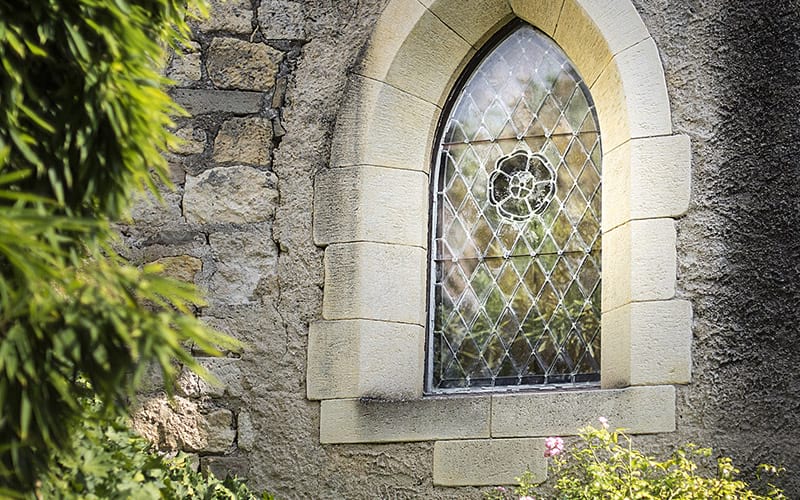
(639, 262)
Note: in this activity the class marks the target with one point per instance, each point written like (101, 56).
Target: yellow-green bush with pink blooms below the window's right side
(604, 464)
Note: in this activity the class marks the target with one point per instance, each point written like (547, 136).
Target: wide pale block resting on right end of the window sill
(652, 344)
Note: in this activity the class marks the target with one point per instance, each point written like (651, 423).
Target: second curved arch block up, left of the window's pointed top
(413, 50)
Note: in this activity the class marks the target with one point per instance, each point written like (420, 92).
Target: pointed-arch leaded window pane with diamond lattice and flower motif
(516, 243)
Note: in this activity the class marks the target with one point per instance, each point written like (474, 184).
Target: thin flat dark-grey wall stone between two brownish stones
(202, 101)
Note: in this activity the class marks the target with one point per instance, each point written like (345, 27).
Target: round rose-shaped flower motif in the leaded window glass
(521, 185)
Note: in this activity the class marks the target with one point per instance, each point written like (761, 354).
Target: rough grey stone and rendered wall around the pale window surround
(264, 85)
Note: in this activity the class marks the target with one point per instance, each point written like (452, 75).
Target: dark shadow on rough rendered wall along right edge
(747, 341)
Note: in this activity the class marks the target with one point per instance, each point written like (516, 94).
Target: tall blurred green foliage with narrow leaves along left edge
(83, 121)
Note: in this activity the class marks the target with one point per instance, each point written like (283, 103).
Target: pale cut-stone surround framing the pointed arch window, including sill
(366, 355)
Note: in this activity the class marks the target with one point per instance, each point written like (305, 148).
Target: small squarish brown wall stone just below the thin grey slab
(244, 140)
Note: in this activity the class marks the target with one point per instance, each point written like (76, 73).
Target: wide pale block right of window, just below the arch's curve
(646, 179)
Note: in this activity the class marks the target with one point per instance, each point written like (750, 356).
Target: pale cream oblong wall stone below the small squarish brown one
(230, 194)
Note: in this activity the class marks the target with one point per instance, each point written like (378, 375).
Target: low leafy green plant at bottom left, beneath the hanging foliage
(111, 462)
